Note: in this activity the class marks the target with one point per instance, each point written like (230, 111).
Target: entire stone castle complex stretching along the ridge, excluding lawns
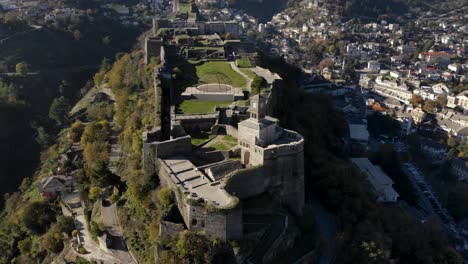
(213, 190)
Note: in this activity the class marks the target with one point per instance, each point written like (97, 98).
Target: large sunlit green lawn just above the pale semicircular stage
(219, 72)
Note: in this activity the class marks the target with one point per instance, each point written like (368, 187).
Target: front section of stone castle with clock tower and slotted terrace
(209, 197)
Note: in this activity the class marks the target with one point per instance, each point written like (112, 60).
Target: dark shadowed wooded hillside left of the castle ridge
(58, 64)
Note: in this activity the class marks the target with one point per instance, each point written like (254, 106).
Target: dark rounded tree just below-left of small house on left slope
(38, 216)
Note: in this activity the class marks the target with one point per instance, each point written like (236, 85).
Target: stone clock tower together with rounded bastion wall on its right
(278, 151)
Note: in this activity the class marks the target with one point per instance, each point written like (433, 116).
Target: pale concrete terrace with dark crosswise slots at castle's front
(189, 179)
